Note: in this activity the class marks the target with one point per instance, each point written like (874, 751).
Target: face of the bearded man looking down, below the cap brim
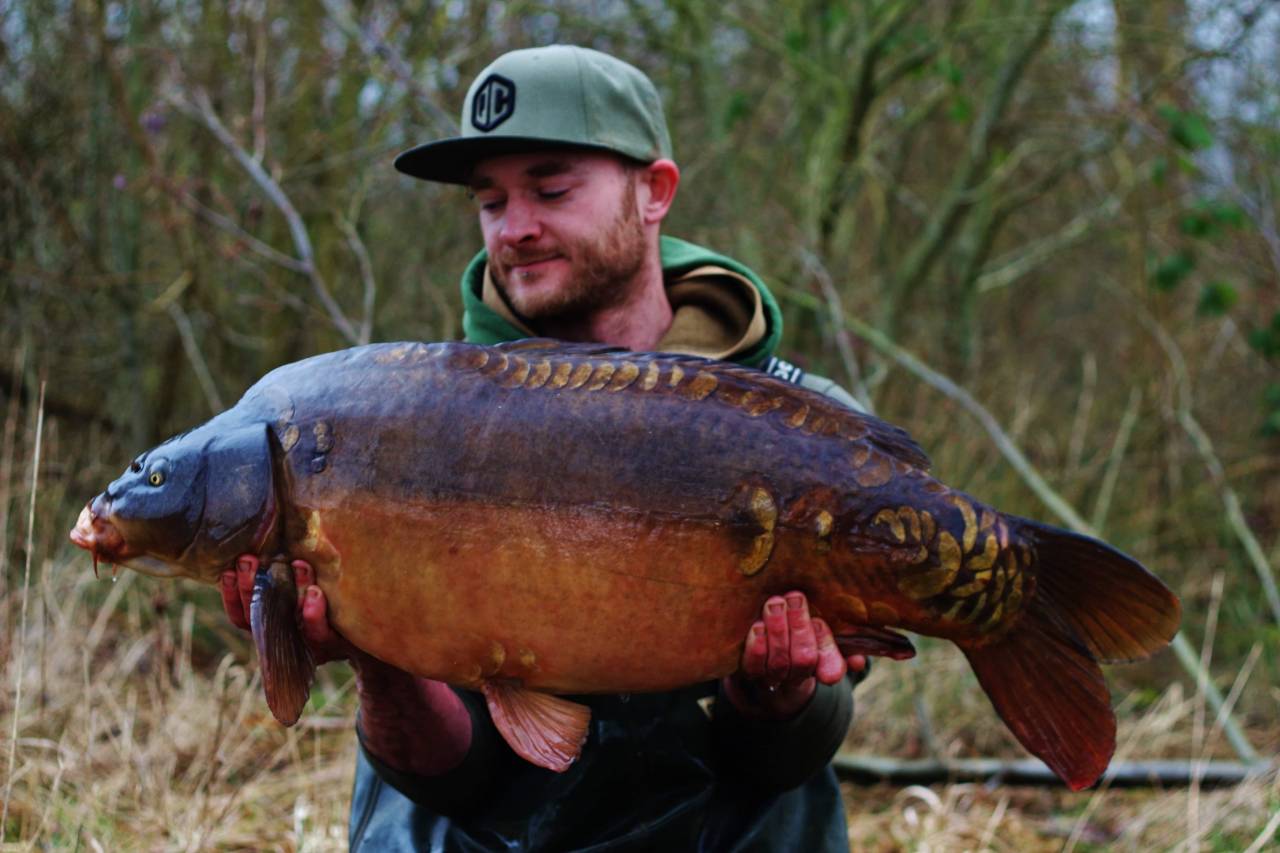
(563, 230)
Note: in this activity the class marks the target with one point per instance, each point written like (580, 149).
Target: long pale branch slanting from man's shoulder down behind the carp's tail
(1052, 499)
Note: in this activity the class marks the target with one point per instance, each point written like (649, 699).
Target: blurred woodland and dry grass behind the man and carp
(1040, 235)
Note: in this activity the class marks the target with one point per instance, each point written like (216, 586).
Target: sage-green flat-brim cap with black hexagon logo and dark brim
(548, 98)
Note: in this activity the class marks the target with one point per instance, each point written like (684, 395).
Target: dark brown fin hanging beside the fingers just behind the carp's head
(282, 655)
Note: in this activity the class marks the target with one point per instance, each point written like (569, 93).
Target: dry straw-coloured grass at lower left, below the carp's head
(132, 737)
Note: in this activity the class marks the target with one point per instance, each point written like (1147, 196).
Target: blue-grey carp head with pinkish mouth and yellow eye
(188, 508)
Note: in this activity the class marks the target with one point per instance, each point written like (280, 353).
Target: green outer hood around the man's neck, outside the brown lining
(482, 325)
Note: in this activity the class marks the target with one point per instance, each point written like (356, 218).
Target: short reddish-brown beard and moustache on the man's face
(601, 271)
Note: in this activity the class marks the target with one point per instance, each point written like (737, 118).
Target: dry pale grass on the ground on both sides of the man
(143, 727)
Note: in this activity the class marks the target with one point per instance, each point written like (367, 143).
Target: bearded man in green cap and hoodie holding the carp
(568, 157)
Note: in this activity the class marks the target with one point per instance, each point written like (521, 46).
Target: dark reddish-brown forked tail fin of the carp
(1091, 604)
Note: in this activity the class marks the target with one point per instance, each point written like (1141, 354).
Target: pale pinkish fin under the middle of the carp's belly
(543, 729)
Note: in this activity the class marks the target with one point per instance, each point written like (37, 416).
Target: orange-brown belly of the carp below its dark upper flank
(586, 601)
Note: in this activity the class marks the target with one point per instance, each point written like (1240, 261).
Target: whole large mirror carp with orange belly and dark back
(541, 518)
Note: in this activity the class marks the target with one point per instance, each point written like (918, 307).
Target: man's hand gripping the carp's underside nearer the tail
(787, 654)
